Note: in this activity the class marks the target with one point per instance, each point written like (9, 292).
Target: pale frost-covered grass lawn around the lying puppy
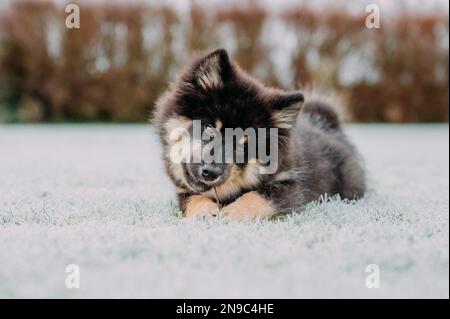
(97, 196)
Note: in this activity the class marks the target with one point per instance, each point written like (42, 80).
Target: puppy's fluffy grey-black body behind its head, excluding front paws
(321, 160)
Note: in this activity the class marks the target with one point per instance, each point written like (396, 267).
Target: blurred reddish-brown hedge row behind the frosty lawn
(123, 56)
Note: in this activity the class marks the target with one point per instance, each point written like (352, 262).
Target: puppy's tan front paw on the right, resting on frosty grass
(251, 206)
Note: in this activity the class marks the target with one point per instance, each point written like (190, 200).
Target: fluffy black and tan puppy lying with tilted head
(313, 158)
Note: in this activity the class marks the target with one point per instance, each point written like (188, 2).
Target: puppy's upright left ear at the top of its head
(212, 70)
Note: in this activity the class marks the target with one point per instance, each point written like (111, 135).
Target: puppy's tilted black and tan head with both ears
(211, 98)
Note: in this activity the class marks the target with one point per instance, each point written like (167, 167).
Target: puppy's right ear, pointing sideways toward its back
(285, 109)
